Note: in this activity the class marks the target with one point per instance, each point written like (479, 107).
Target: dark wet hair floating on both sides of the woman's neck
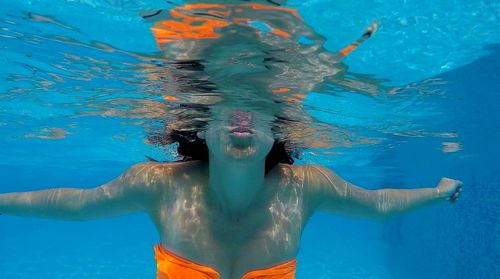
(190, 147)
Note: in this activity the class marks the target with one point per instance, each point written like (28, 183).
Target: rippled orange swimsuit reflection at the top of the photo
(190, 26)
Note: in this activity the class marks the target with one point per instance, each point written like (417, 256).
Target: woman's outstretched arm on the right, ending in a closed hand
(331, 193)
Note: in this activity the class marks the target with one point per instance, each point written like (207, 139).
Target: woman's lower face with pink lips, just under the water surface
(239, 136)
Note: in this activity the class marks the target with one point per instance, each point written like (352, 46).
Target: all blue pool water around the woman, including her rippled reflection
(87, 85)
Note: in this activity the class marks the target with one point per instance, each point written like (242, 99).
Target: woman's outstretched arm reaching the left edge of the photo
(135, 190)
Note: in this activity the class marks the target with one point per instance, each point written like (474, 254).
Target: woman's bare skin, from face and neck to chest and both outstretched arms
(228, 213)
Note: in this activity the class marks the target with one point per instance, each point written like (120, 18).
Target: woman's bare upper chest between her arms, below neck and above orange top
(267, 235)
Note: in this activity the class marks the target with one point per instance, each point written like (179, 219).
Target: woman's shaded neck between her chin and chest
(234, 186)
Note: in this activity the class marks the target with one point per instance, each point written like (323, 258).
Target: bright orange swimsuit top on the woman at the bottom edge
(171, 266)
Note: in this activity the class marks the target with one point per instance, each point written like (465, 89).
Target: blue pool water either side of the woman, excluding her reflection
(440, 58)
